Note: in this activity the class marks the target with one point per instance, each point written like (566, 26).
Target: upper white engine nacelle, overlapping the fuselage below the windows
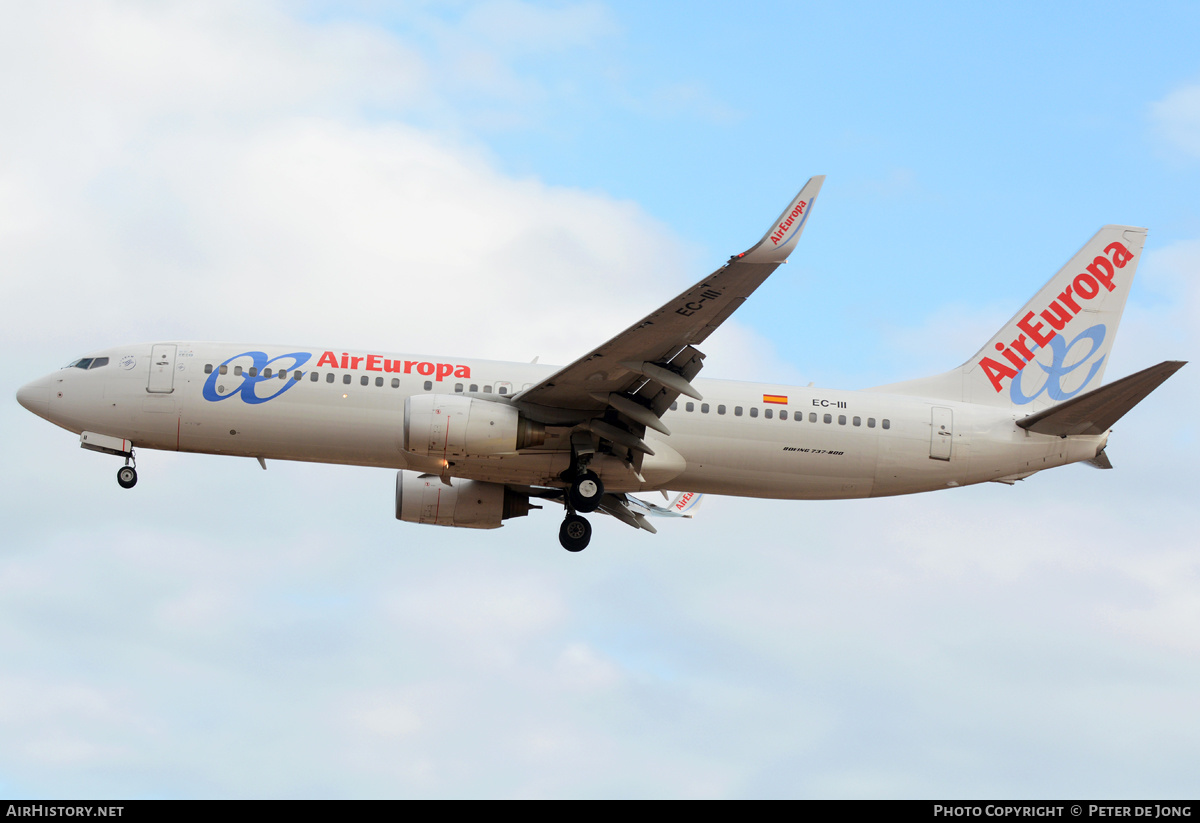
(458, 426)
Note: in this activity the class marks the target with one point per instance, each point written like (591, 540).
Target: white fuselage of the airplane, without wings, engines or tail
(347, 407)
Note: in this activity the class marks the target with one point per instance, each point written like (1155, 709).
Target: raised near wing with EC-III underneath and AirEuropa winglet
(625, 386)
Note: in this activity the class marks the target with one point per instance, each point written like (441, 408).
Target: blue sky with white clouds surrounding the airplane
(519, 179)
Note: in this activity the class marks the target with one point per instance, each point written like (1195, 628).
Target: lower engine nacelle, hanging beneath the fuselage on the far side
(470, 504)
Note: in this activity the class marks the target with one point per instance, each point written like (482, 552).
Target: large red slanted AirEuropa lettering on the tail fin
(1058, 315)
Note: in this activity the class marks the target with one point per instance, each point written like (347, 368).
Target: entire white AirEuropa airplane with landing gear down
(478, 442)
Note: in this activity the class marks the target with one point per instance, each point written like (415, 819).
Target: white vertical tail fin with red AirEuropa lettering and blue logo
(1059, 344)
